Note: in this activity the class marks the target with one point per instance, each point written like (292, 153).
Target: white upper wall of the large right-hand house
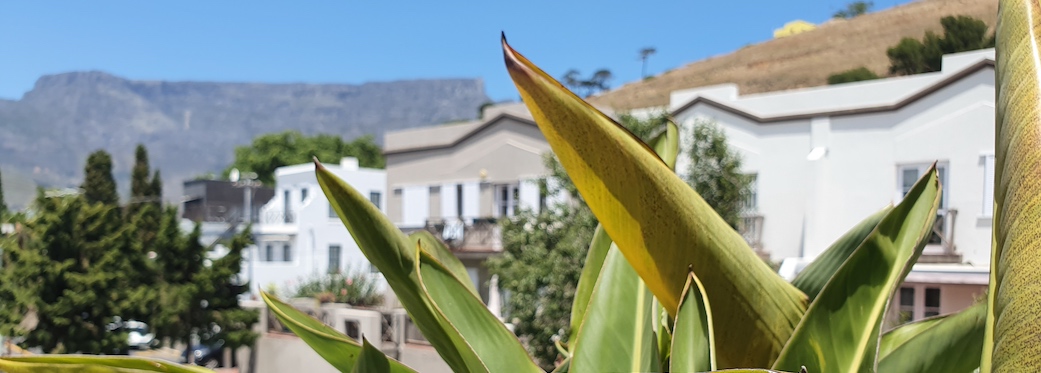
(808, 205)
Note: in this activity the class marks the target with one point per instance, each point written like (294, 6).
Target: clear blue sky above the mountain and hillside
(356, 42)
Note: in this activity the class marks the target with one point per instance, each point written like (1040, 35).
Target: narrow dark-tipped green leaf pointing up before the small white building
(391, 252)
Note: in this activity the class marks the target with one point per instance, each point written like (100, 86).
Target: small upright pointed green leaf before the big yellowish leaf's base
(693, 337)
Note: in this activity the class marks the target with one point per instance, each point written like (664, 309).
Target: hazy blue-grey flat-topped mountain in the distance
(192, 129)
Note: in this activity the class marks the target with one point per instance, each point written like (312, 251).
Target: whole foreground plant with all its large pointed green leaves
(670, 287)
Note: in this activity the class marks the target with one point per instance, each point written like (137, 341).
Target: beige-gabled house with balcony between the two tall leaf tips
(456, 181)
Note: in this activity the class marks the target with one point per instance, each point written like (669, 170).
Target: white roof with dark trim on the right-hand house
(862, 97)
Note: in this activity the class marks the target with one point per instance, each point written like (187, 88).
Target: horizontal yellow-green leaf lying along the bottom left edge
(92, 365)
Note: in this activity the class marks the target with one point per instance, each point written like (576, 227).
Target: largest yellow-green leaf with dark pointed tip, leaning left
(661, 225)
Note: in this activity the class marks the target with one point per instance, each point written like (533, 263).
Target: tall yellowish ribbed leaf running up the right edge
(1014, 315)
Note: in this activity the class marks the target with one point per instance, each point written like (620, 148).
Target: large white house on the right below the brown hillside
(825, 159)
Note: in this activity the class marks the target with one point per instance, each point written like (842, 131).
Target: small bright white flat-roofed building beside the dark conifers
(300, 236)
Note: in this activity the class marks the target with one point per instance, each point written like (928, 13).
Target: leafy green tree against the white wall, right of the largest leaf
(716, 172)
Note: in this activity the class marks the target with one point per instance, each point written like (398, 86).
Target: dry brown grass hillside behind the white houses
(805, 60)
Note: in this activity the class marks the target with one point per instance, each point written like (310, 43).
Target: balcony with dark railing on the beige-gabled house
(468, 235)
